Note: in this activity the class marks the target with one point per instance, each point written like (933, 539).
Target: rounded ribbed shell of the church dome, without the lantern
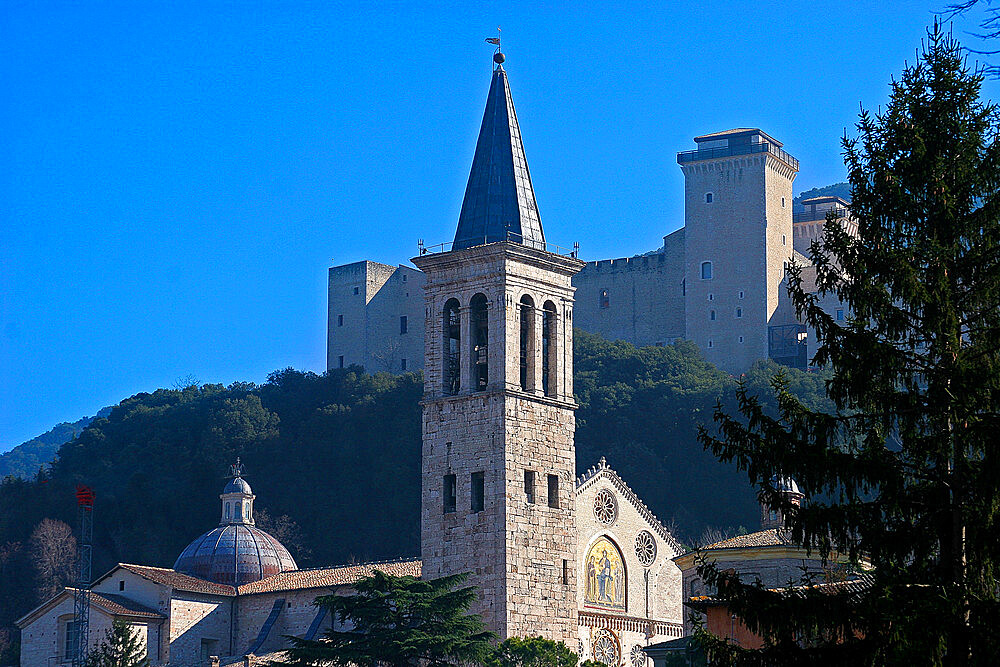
(234, 555)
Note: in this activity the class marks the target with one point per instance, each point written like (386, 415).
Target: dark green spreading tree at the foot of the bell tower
(399, 622)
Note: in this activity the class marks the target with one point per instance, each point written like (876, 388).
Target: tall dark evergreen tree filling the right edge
(905, 473)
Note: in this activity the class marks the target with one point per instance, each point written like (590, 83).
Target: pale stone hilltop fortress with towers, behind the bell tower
(718, 281)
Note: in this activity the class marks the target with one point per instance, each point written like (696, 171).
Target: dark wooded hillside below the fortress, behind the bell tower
(335, 459)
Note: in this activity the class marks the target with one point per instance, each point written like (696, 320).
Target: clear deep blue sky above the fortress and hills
(175, 180)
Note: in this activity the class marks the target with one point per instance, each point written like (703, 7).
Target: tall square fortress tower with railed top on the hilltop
(738, 239)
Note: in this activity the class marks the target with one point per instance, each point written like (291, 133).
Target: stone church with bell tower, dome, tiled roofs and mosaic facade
(576, 559)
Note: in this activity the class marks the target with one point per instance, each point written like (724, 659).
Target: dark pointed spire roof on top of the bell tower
(499, 200)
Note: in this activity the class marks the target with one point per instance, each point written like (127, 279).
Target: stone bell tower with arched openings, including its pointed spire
(498, 459)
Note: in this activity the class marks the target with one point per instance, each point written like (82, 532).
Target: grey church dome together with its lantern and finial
(236, 552)
